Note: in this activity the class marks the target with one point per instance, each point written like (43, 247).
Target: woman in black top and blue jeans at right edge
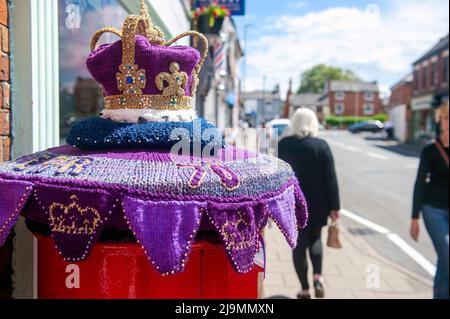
(431, 199)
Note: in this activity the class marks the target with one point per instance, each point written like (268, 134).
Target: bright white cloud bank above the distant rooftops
(379, 42)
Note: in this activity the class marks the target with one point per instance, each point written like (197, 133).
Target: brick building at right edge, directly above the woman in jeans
(430, 89)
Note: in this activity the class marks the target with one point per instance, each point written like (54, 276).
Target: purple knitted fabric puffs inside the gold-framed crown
(104, 62)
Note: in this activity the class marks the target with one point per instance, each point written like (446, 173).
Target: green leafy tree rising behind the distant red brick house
(313, 80)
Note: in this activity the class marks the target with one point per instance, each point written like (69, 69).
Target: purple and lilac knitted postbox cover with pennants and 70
(163, 200)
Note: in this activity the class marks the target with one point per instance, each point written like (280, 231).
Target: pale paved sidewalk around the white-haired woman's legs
(344, 271)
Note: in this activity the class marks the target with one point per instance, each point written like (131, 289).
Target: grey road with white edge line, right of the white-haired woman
(376, 179)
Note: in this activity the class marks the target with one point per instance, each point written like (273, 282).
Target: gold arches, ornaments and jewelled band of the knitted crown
(132, 80)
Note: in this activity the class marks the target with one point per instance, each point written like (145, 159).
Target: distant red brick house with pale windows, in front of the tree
(352, 98)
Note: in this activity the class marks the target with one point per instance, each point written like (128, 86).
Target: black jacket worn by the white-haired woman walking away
(313, 164)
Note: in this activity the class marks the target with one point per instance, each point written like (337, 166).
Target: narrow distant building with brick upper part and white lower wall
(399, 108)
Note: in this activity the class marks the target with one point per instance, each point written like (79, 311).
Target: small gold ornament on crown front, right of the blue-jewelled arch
(176, 80)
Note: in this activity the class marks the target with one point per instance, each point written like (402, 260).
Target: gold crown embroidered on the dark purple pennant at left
(66, 223)
